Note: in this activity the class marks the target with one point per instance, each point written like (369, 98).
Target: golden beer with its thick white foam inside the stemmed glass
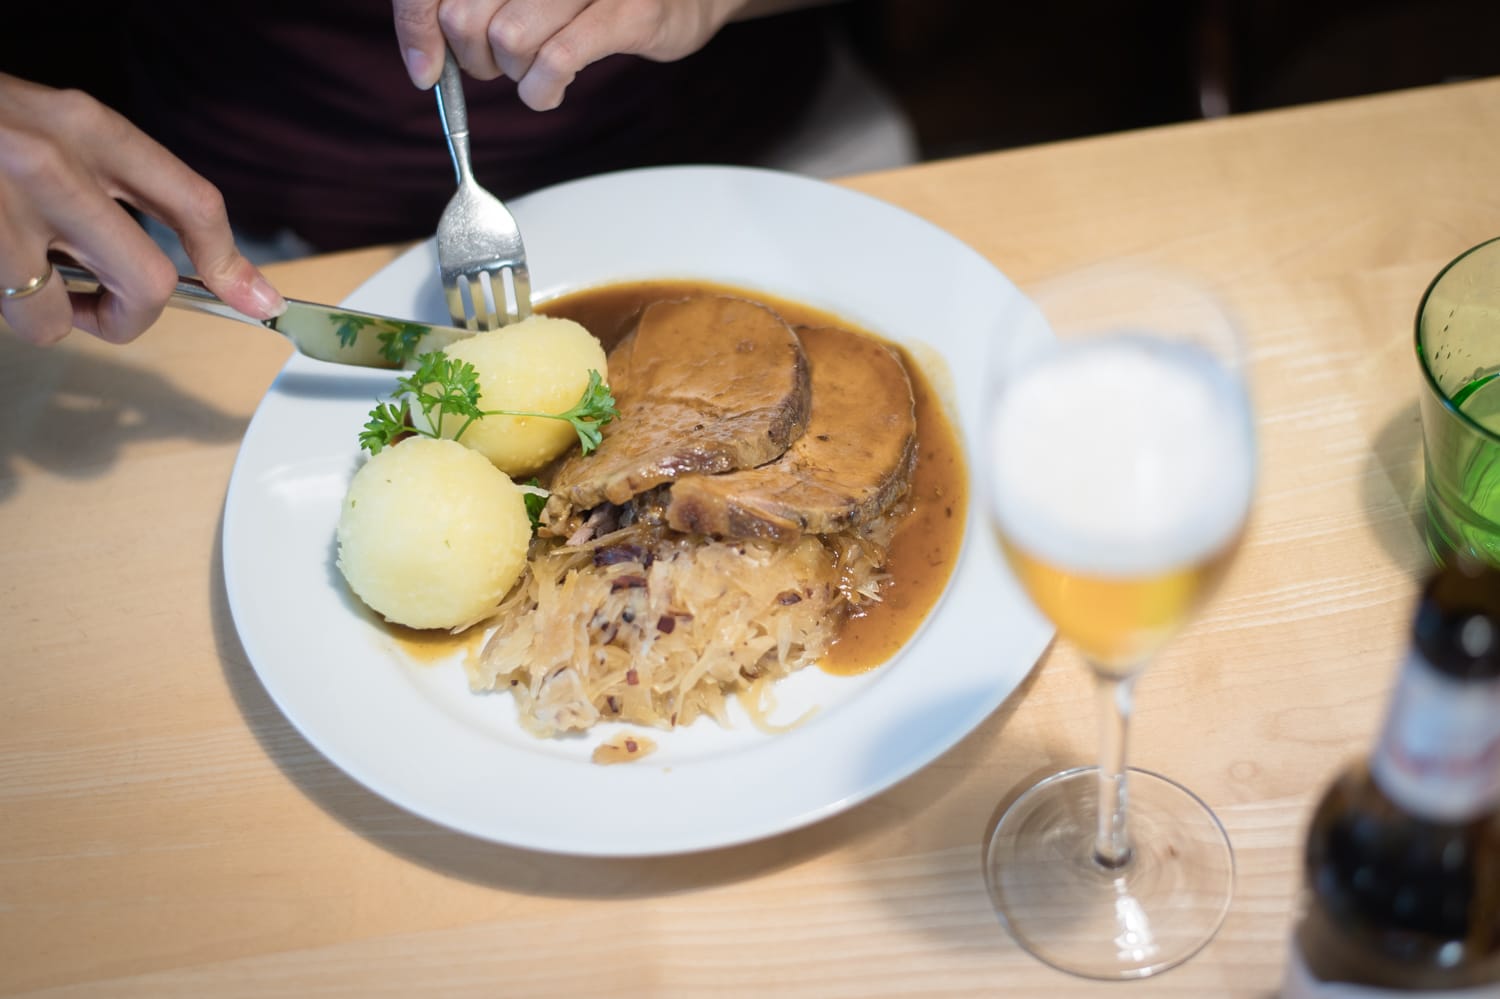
(1123, 475)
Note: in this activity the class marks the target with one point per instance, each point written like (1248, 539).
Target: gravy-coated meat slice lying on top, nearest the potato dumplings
(706, 386)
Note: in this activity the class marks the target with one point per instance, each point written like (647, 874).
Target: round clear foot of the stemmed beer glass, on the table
(1154, 913)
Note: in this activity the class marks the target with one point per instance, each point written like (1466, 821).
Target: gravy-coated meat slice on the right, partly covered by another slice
(851, 464)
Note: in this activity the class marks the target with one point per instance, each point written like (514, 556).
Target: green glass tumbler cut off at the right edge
(1459, 346)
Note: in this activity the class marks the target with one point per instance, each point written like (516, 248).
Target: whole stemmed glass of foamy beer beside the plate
(1121, 467)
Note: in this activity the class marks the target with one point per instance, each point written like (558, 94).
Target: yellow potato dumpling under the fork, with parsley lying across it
(539, 365)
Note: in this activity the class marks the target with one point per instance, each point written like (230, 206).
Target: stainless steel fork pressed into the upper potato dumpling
(481, 257)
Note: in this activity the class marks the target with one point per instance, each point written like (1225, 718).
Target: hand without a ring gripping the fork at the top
(544, 44)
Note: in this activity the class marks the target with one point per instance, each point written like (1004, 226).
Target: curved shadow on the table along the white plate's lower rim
(512, 869)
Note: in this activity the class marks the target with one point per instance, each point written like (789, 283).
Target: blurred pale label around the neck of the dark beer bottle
(1439, 755)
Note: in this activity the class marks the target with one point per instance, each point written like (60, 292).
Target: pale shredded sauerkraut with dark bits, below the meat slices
(655, 628)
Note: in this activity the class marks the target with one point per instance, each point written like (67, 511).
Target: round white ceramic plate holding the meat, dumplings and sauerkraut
(416, 736)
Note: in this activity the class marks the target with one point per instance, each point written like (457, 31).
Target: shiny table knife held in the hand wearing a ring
(331, 334)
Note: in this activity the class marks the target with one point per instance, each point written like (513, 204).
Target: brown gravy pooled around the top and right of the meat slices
(926, 547)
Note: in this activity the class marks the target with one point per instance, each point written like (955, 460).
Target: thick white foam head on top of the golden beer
(1121, 457)
